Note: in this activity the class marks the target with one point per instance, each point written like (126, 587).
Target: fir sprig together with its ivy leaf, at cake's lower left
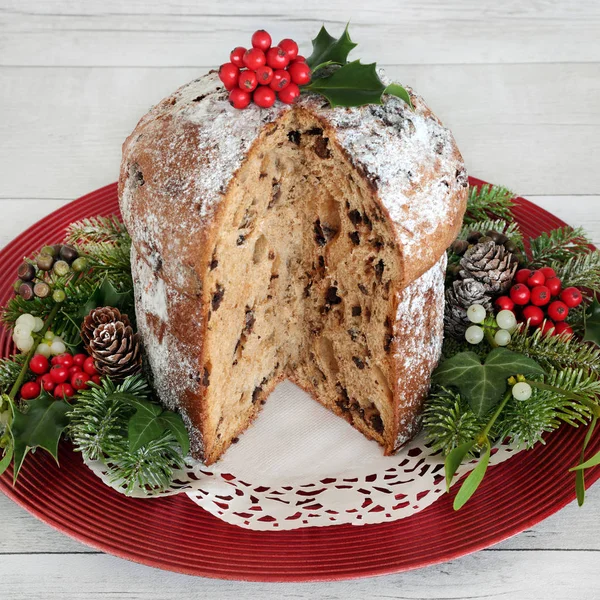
(136, 455)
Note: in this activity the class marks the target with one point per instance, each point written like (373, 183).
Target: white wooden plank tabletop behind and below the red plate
(519, 84)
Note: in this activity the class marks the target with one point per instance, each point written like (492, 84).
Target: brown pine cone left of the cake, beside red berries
(116, 350)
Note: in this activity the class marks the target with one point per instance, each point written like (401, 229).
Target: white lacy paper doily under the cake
(301, 466)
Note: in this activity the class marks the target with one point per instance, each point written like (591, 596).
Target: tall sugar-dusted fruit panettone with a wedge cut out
(298, 242)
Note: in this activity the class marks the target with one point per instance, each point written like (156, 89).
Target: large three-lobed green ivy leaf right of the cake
(483, 385)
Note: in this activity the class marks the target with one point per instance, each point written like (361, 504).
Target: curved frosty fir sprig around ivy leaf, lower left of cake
(99, 429)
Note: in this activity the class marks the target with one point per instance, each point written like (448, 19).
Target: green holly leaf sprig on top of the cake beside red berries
(346, 83)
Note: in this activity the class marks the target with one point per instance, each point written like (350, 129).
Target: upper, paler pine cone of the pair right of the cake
(490, 264)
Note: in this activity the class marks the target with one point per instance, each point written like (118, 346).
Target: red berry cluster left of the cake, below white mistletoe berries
(63, 376)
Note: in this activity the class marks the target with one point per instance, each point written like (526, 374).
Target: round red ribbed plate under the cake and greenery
(175, 534)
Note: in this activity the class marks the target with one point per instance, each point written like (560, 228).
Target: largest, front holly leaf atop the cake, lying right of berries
(354, 84)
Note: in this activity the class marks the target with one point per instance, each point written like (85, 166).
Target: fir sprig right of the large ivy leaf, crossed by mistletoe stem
(524, 423)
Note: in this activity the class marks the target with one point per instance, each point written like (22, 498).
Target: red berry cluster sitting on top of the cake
(264, 72)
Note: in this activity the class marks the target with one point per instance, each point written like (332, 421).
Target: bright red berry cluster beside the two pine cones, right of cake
(538, 299)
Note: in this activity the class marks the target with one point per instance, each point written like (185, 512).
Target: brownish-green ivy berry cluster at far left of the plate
(37, 278)
